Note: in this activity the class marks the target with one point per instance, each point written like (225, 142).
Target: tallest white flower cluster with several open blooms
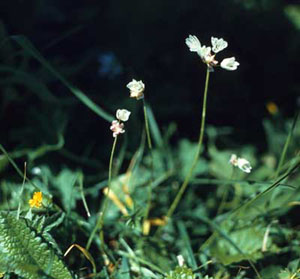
(207, 57)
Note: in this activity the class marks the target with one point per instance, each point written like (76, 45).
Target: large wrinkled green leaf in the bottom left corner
(25, 251)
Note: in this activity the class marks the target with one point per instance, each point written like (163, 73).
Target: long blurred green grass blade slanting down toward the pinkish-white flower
(29, 48)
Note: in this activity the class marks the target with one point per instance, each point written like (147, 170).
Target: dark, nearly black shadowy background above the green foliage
(101, 45)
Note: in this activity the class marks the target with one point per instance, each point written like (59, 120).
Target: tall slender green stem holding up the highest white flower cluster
(194, 163)
